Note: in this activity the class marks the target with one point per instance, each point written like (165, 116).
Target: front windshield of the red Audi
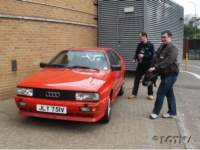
(80, 59)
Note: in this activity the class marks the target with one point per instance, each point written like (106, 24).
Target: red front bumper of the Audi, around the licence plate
(74, 113)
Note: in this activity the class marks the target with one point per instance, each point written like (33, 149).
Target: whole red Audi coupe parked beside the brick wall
(78, 84)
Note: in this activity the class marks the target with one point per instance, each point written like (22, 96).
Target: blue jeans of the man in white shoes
(166, 89)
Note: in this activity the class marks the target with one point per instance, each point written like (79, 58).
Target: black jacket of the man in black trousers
(148, 50)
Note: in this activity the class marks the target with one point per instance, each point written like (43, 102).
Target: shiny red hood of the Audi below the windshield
(66, 79)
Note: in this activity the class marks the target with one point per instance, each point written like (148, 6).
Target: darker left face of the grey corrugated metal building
(118, 29)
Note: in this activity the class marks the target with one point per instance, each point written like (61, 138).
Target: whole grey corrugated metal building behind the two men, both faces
(119, 30)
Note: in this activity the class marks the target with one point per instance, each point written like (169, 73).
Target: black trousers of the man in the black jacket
(140, 71)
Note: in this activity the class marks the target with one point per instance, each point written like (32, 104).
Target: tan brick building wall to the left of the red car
(33, 31)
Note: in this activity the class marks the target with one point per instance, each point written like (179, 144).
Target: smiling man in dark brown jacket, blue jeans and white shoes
(166, 65)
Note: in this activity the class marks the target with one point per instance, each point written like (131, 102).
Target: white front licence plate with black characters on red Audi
(51, 109)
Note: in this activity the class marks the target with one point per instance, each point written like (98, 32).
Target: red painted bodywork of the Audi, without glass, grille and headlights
(106, 83)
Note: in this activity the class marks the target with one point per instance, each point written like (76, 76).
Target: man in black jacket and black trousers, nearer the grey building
(144, 56)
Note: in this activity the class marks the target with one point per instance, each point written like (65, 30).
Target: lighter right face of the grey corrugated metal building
(164, 15)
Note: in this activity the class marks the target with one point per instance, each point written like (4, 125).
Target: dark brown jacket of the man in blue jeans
(166, 59)
